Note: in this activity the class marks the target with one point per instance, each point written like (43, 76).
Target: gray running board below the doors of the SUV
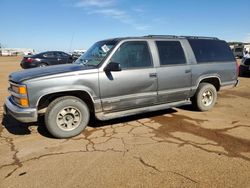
(107, 116)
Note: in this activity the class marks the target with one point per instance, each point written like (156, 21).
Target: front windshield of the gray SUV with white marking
(96, 53)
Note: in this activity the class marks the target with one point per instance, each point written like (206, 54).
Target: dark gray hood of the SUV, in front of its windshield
(27, 74)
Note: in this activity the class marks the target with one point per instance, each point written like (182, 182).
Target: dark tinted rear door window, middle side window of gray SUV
(170, 52)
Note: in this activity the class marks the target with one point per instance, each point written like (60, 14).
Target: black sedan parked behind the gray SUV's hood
(45, 59)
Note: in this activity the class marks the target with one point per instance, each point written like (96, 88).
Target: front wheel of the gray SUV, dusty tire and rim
(66, 117)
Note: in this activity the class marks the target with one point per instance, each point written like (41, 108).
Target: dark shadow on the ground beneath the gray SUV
(17, 128)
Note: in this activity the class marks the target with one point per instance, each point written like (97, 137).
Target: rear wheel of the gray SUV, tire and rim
(205, 97)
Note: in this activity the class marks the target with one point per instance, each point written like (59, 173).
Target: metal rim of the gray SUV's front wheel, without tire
(69, 118)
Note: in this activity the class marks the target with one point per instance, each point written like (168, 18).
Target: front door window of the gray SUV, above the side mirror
(134, 54)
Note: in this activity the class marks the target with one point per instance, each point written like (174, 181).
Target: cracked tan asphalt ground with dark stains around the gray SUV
(178, 147)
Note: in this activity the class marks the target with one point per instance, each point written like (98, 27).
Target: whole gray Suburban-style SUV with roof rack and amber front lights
(121, 77)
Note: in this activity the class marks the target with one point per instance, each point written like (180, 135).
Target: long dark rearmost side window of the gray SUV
(206, 50)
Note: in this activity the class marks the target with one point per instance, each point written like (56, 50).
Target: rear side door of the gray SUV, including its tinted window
(174, 73)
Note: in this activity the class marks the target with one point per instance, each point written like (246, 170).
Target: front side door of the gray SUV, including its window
(135, 85)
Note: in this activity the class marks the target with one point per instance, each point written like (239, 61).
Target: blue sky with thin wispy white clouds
(77, 24)
